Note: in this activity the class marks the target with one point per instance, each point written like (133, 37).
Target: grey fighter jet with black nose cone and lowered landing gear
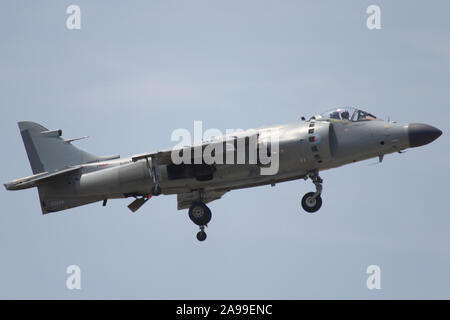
(68, 177)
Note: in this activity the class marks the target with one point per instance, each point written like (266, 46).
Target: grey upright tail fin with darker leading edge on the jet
(47, 151)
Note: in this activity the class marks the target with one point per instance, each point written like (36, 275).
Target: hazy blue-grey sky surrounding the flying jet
(137, 70)
